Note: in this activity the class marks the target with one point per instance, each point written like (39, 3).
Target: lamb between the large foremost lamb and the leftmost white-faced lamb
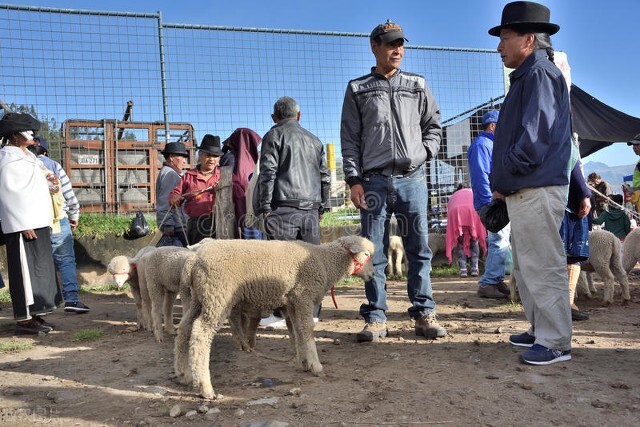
(159, 274)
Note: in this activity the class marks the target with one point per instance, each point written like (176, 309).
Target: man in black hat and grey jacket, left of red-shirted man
(171, 221)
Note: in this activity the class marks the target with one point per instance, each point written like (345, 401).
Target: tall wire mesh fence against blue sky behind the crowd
(69, 66)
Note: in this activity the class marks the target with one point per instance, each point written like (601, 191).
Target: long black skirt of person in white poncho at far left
(42, 273)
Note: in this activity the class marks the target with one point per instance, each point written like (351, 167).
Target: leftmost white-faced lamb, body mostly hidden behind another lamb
(124, 269)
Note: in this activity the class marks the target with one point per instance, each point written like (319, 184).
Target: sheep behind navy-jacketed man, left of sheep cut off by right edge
(605, 258)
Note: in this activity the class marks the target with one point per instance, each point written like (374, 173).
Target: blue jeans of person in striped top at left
(65, 260)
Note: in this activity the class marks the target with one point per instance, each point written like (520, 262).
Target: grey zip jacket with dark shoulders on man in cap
(388, 126)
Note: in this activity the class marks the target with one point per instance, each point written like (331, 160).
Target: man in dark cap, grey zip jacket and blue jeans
(390, 129)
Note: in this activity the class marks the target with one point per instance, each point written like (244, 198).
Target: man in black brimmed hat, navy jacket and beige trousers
(531, 166)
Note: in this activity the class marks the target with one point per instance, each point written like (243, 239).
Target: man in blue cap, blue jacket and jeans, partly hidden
(491, 283)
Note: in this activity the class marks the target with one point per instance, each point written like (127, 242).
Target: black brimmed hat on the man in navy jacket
(526, 15)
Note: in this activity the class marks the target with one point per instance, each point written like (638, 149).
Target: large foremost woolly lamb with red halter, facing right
(231, 277)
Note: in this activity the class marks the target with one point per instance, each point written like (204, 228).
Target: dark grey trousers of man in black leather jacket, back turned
(287, 223)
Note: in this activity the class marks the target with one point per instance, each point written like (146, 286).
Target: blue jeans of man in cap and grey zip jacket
(406, 197)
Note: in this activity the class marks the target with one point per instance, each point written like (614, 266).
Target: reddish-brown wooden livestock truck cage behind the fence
(113, 165)
